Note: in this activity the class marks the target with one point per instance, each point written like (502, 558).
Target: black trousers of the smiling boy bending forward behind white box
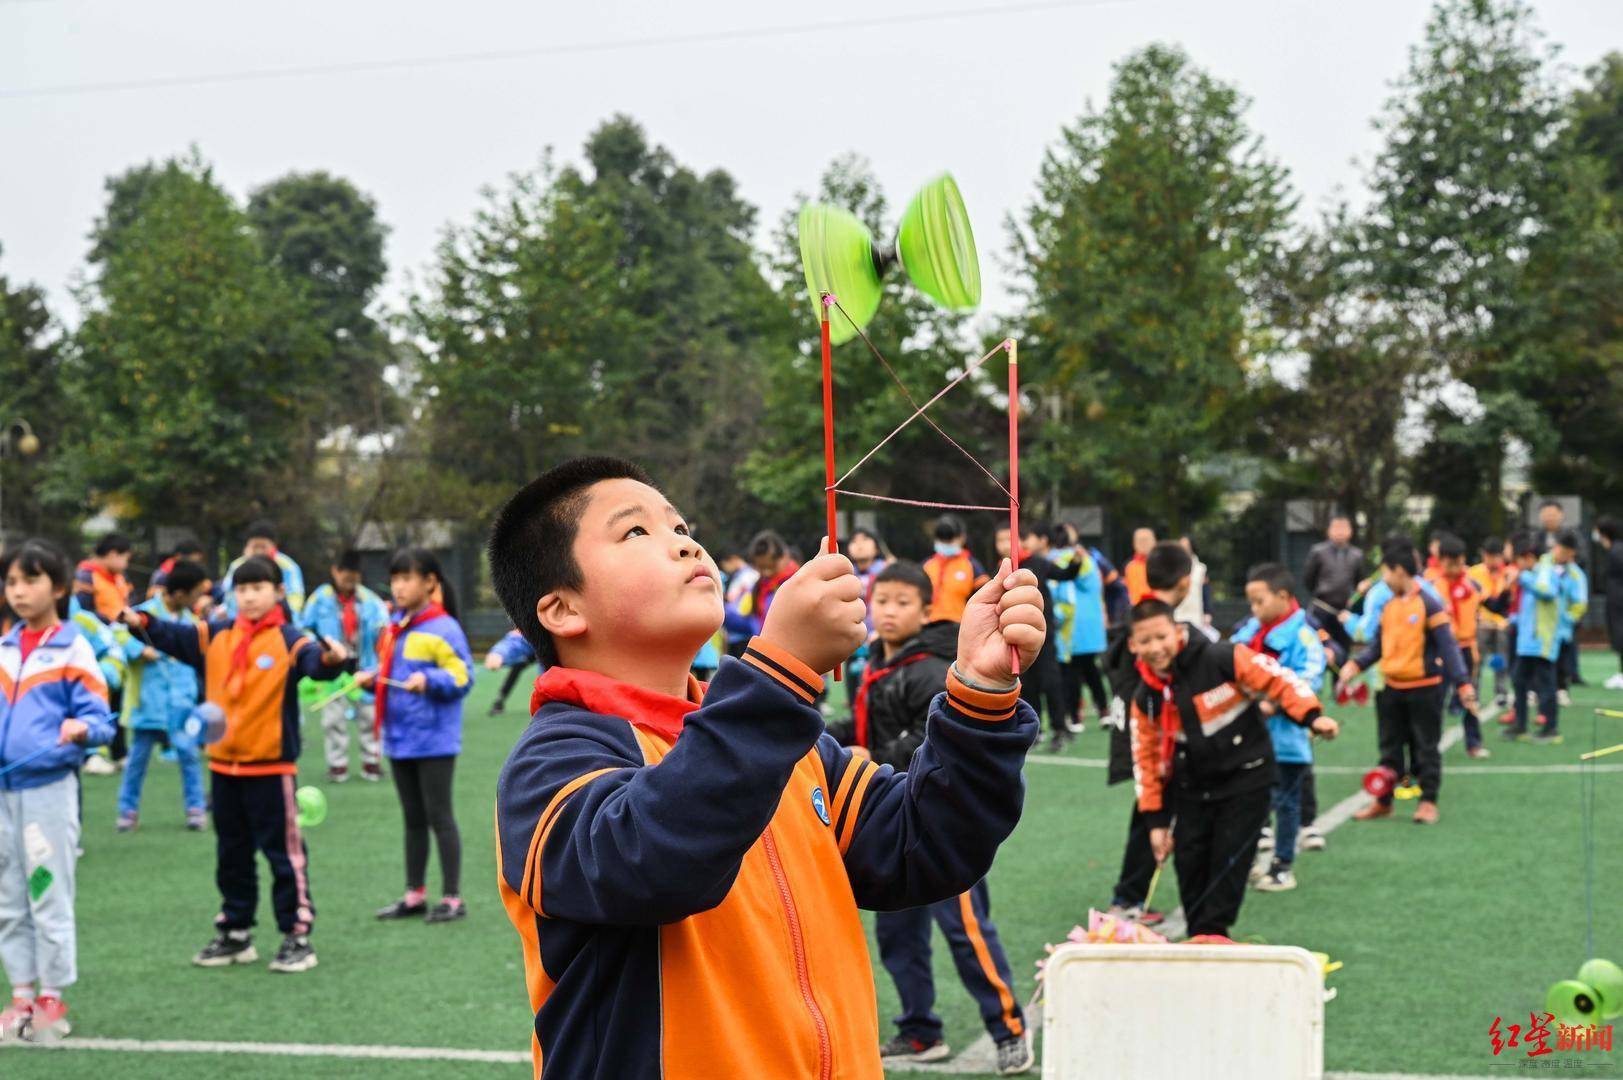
(1213, 845)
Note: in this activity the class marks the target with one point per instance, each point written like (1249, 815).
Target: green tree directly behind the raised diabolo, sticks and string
(924, 345)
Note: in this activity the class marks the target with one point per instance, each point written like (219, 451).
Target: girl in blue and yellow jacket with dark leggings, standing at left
(426, 672)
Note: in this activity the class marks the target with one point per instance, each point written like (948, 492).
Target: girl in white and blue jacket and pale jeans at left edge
(54, 704)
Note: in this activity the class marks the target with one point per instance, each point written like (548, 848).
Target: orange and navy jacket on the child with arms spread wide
(262, 720)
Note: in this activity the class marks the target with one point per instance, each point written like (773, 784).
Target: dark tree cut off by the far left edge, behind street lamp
(32, 392)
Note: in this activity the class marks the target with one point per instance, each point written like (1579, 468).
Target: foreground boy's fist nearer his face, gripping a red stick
(819, 616)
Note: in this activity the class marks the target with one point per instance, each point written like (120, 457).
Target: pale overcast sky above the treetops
(963, 85)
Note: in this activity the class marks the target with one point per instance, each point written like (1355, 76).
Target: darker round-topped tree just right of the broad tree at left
(324, 235)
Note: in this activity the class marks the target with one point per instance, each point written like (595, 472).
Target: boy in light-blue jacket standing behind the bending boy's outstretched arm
(1280, 628)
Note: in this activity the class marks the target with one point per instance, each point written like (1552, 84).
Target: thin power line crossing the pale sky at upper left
(450, 59)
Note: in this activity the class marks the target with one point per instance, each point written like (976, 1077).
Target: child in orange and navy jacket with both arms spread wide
(251, 668)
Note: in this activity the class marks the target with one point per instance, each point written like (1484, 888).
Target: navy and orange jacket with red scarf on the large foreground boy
(686, 876)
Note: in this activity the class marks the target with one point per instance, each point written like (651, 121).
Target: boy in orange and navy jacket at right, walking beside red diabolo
(1419, 660)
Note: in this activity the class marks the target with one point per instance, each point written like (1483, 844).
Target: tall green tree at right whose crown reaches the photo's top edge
(1463, 192)
